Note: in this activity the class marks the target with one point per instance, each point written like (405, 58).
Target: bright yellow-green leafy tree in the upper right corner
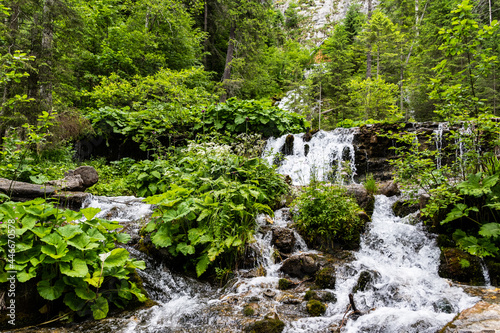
(456, 90)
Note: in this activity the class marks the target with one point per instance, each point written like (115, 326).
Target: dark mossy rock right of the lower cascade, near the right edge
(454, 266)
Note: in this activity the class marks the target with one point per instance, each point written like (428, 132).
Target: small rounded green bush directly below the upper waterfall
(325, 215)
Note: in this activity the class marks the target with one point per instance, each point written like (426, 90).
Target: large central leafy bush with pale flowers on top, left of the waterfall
(208, 213)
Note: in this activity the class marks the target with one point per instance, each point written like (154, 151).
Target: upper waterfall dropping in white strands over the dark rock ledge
(328, 156)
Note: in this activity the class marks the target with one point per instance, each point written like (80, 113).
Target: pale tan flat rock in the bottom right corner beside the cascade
(481, 318)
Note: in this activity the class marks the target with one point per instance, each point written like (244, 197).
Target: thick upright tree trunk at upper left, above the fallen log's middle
(46, 54)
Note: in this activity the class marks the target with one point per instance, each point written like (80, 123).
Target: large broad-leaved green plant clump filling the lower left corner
(75, 261)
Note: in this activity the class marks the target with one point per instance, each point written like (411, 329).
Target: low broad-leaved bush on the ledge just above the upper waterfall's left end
(246, 116)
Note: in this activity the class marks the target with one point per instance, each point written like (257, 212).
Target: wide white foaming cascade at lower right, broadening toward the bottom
(400, 288)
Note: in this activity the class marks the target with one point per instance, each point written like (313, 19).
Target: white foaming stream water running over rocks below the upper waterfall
(403, 292)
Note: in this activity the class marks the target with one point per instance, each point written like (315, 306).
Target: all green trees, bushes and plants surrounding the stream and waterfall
(173, 100)
